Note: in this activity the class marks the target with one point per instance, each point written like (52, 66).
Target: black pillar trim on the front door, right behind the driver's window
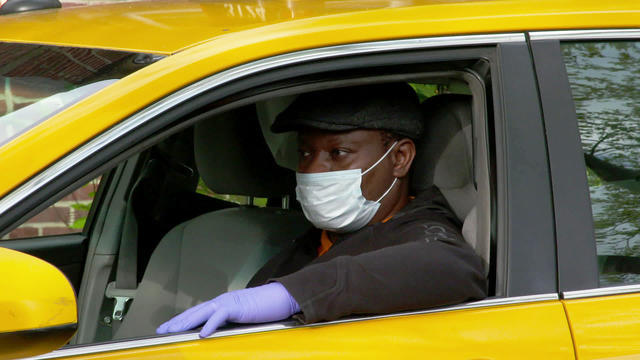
(524, 208)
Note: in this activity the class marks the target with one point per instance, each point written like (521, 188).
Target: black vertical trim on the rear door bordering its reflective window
(576, 247)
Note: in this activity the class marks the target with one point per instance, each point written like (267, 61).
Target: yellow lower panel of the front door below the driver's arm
(526, 331)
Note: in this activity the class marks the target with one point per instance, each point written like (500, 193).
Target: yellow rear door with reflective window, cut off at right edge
(588, 83)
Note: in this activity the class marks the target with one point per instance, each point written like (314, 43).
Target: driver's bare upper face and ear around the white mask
(322, 151)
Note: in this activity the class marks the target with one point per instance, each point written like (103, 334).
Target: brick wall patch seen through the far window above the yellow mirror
(64, 217)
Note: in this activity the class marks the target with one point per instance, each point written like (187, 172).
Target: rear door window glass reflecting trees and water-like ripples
(605, 84)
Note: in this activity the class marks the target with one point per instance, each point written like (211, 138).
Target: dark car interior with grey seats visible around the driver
(199, 212)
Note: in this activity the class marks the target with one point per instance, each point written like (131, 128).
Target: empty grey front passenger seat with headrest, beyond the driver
(221, 250)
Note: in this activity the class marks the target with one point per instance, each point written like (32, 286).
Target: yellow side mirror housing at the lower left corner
(37, 306)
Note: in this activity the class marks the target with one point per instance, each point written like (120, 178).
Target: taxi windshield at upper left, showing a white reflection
(38, 81)
